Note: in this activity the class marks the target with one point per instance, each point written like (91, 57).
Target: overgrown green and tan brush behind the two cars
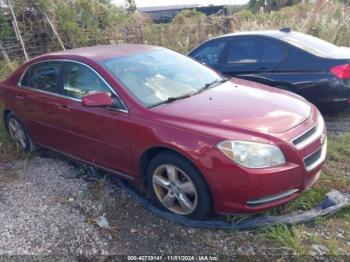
(93, 22)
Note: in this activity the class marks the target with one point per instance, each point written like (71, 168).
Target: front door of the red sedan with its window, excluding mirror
(98, 134)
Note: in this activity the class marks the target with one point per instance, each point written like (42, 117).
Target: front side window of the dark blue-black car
(210, 54)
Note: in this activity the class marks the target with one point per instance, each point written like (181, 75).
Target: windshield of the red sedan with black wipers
(162, 75)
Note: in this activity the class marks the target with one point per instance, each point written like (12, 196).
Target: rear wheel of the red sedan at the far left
(18, 133)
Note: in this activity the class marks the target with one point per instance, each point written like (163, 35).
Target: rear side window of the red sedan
(42, 76)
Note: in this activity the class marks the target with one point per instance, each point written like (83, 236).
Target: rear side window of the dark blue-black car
(243, 51)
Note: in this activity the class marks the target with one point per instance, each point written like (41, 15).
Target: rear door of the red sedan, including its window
(38, 102)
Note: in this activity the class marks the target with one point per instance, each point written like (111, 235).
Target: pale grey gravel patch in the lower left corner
(33, 217)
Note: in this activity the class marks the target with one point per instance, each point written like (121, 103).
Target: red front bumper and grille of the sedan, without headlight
(236, 189)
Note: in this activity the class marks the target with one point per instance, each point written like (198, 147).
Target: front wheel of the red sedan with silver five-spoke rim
(177, 186)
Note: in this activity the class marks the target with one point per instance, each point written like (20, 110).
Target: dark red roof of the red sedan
(103, 52)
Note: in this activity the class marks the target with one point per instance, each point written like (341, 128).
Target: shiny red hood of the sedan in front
(241, 104)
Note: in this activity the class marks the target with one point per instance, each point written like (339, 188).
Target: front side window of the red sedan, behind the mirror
(79, 80)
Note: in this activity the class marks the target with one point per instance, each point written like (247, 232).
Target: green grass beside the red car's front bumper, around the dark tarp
(335, 175)
